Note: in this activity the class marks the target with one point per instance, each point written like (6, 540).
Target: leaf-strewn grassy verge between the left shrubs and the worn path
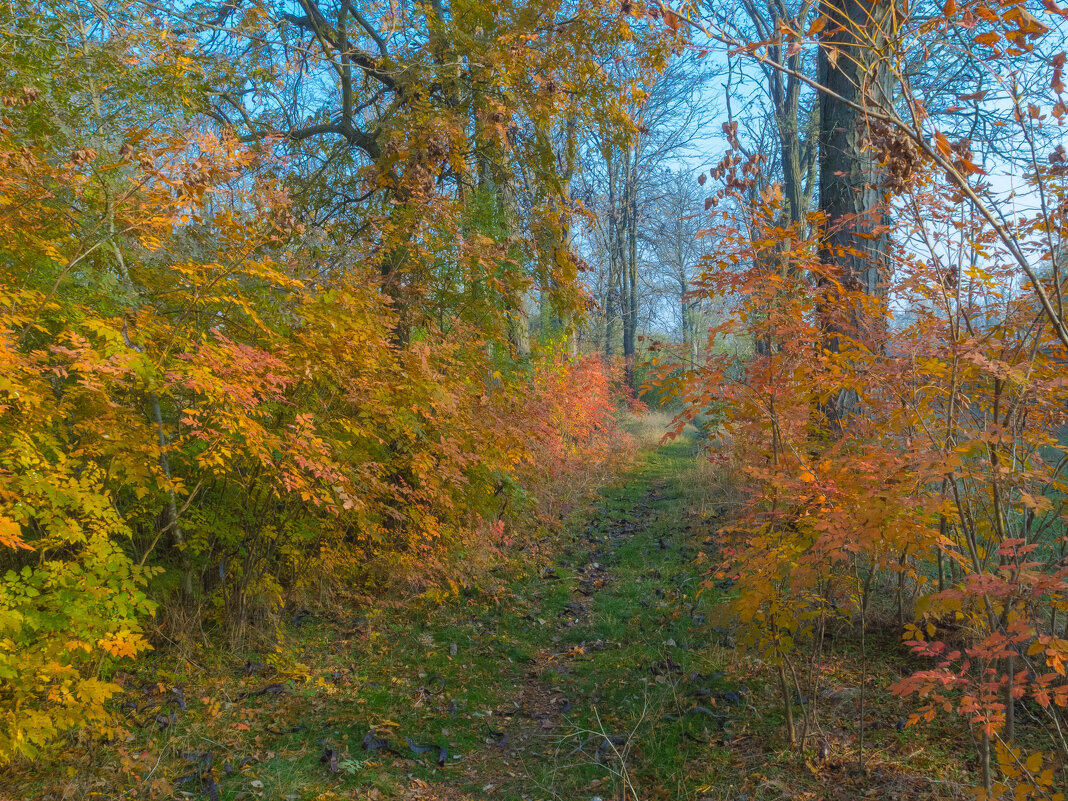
(428, 657)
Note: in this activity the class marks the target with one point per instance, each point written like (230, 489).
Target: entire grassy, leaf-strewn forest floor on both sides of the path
(600, 672)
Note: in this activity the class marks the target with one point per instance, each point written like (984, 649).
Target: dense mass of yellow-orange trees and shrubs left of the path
(253, 260)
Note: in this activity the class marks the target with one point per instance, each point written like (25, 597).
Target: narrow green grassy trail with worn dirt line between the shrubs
(619, 693)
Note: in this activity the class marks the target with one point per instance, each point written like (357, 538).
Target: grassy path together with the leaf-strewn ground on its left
(594, 677)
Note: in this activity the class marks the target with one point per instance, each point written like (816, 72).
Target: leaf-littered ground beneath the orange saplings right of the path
(851, 736)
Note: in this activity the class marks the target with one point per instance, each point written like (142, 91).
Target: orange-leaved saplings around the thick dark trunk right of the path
(867, 515)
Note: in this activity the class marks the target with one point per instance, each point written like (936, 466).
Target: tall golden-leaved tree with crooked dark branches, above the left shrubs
(409, 108)
